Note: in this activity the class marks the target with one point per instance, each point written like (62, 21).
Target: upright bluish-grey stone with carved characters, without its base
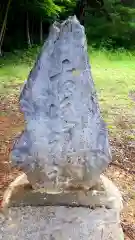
(65, 140)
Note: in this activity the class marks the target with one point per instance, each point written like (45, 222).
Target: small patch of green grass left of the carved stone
(14, 69)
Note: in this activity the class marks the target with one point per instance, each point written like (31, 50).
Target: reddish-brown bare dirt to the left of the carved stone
(11, 123)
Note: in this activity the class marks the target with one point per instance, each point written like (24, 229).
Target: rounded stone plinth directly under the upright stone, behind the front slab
(103, 194)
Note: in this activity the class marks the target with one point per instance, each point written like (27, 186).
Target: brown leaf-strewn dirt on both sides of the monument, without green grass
(121, 171)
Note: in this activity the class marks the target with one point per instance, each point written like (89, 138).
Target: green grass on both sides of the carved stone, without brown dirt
(113, 73)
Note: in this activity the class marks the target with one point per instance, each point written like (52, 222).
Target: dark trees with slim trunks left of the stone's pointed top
(35, 17)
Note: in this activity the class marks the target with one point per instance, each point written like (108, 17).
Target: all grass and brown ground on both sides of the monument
(114, 76)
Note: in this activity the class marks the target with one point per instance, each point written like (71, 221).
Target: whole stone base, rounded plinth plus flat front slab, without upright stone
(74, 215)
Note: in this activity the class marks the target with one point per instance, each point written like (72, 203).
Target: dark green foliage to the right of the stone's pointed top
(113, 25)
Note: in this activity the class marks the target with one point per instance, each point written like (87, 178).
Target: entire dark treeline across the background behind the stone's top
(109, 23)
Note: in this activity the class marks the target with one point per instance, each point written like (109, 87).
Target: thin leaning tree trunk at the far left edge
(3, 29)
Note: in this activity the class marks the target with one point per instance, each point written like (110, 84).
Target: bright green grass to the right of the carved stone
(114, 75)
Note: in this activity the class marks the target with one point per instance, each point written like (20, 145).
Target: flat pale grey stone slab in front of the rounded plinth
(61, 223)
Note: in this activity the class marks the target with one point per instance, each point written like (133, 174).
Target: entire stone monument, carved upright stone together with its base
(63, 150)
